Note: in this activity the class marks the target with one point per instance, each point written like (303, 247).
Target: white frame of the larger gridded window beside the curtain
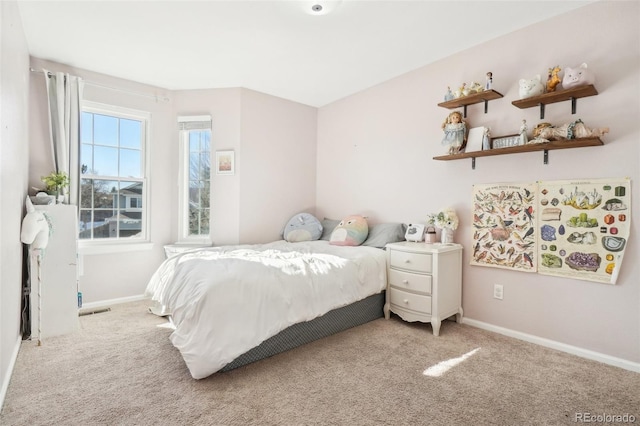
(111, 245)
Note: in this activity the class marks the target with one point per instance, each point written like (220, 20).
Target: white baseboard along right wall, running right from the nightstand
(574, 350)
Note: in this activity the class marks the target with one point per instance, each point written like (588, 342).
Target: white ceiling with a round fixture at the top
(276, 47)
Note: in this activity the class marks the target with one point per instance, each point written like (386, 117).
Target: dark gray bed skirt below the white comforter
(332, 322)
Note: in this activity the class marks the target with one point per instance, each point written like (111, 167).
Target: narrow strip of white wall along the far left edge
(14, 89)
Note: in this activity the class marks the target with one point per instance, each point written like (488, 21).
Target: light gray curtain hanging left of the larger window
(64, 93)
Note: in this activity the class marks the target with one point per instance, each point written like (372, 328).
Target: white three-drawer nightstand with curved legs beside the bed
(424, 282)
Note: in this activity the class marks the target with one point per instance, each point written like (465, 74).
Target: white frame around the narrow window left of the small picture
(183, 187)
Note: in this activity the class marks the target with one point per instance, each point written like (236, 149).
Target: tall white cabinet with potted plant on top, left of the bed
(57, 311)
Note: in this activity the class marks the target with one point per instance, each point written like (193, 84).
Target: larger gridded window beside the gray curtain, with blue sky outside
(113, 184)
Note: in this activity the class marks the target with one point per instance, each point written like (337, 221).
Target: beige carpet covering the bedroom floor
(121, 369)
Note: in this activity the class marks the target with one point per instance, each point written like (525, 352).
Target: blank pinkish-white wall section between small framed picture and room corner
(278, 168)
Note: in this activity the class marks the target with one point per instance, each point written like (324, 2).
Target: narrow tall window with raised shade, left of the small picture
(195, 188)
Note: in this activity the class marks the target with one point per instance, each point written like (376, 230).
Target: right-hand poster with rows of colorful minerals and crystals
(584, 227)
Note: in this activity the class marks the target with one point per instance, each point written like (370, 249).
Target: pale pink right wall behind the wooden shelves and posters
(375, 154)
